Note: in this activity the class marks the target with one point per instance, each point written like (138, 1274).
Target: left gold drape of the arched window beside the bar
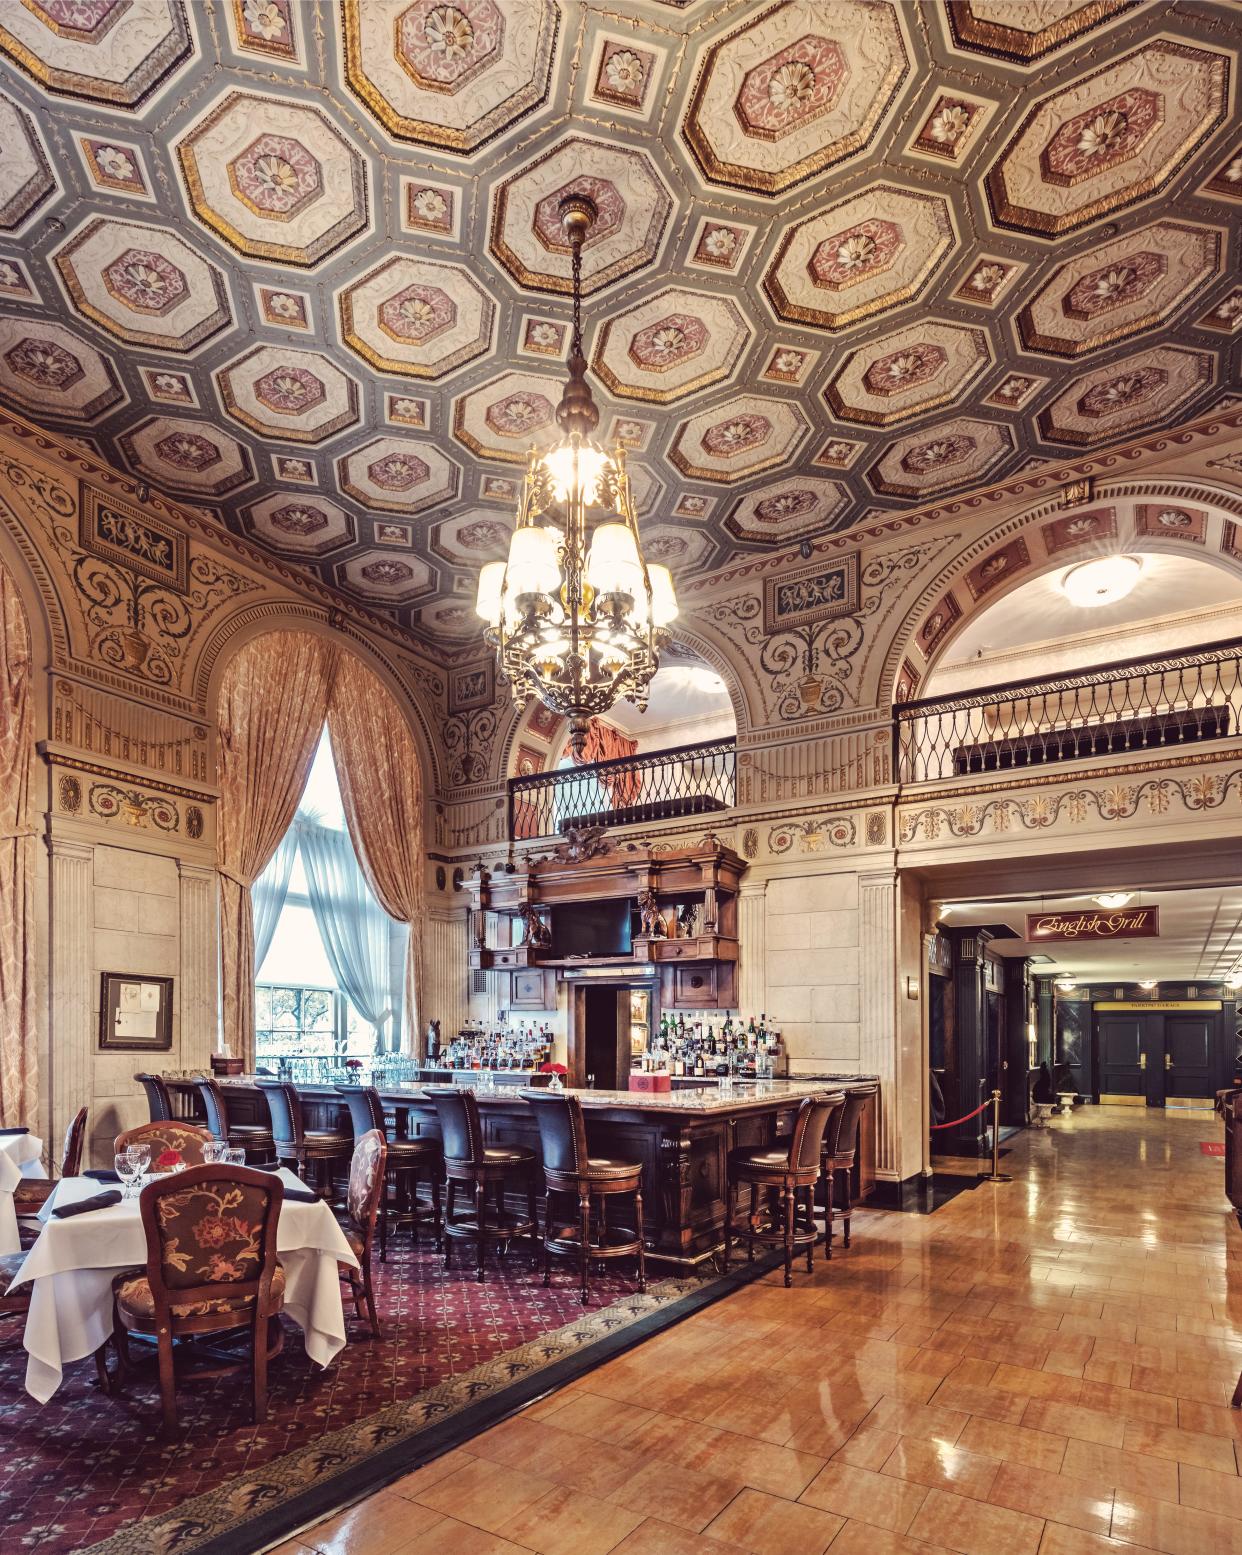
(273, 707)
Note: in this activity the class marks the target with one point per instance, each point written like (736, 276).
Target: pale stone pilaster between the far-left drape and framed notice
(71, 985)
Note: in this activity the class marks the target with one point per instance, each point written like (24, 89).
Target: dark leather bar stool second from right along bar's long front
(483, 1167)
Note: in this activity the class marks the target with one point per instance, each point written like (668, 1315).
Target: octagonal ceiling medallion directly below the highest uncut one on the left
(299, 397)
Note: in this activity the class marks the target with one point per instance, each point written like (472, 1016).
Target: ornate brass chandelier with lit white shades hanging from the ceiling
(576, 615)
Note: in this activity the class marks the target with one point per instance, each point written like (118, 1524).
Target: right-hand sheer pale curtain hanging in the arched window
(357, 932)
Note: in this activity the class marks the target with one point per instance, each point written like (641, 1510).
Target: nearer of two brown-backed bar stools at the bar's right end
(789, 1169)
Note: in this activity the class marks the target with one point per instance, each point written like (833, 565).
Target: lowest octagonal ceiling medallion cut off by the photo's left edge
(46, 368)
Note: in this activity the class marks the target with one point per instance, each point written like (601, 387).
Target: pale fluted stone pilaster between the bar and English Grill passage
(877, 976)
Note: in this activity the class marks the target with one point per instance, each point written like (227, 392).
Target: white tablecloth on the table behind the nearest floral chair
(74, 1262)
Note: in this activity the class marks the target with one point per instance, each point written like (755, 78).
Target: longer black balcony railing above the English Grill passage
(1137, 705)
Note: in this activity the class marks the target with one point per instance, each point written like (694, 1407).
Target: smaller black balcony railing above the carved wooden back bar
(661, 786)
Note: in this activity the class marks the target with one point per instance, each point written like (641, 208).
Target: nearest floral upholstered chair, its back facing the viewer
(211, 1267)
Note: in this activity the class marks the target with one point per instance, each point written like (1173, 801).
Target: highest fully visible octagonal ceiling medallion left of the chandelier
(276, 180)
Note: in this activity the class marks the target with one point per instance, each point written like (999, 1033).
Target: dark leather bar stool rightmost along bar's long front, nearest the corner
(573, 1172)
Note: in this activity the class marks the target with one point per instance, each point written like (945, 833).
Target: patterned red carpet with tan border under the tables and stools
(88, 1469)
